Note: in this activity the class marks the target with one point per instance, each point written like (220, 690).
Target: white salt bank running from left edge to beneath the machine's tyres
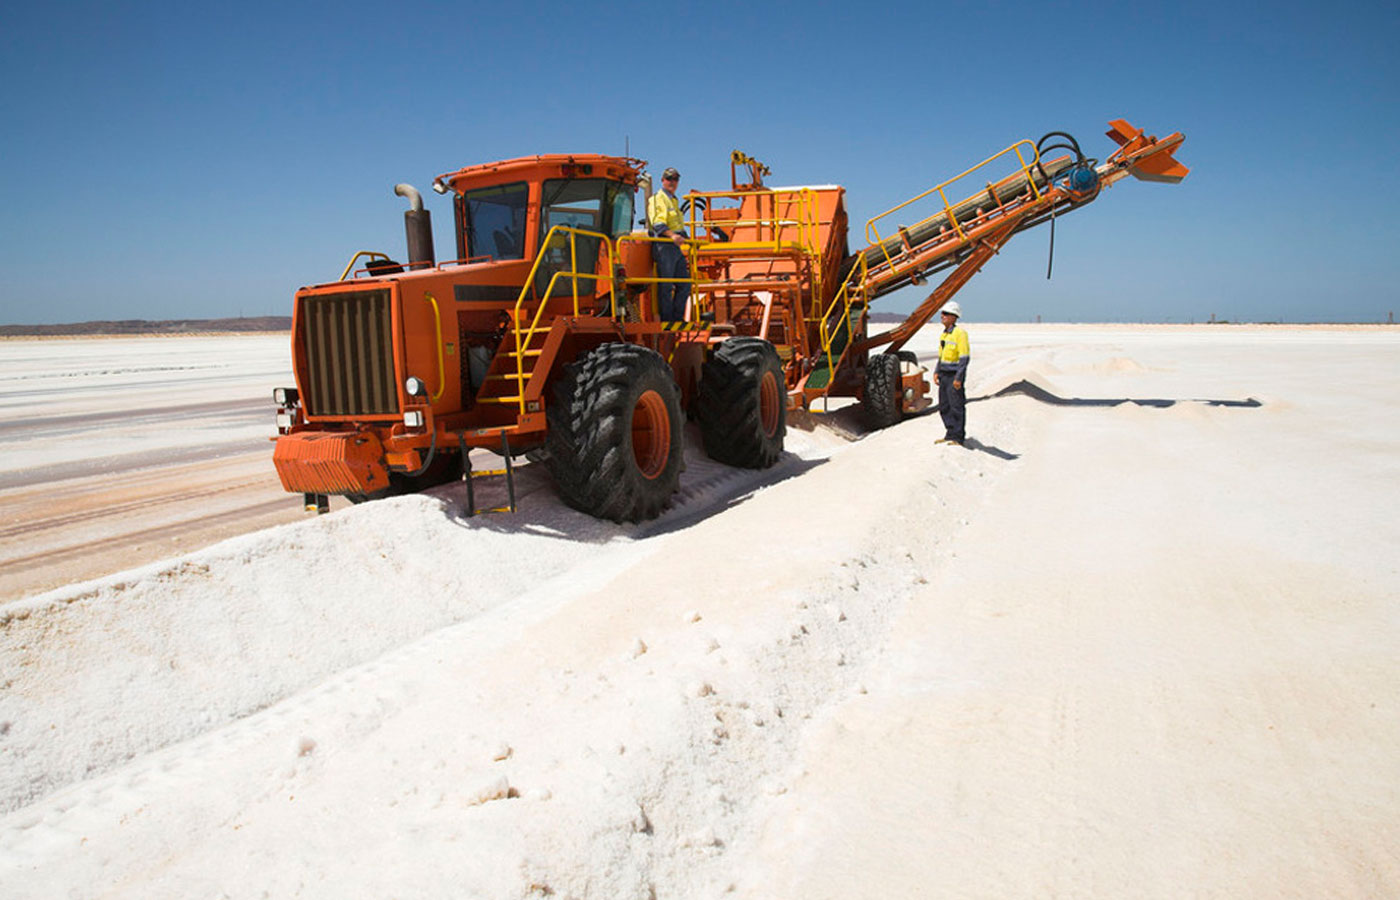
(222, 633)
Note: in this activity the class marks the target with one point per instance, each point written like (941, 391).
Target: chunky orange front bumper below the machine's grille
(331, 463)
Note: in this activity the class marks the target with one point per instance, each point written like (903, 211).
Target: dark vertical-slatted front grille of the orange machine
(349, 352)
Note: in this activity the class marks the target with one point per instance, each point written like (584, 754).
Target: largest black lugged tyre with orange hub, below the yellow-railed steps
(615, 444)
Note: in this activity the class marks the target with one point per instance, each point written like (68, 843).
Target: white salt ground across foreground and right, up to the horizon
(1136, 640)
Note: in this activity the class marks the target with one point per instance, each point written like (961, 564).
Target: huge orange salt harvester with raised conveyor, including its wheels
(542, 337)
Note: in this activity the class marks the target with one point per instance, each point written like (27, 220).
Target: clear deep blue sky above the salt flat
(167, 162)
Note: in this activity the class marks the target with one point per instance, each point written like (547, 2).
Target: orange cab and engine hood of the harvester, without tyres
(356, 344)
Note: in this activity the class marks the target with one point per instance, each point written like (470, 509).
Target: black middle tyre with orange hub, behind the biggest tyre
(743, 404)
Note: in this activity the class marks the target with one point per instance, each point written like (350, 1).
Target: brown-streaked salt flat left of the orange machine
(117, 453)
